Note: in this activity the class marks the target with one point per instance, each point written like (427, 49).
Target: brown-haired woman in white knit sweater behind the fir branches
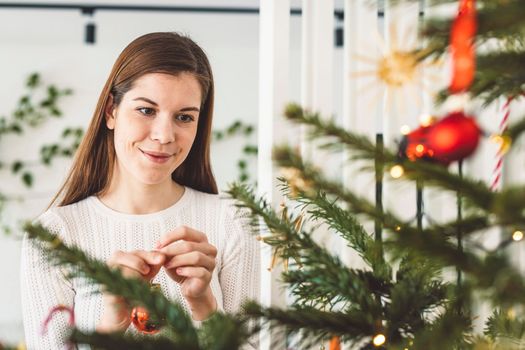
(141, 195)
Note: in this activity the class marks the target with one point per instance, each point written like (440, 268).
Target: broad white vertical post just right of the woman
(273, 95)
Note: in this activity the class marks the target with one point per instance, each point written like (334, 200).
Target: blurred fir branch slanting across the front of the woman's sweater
(135, 291)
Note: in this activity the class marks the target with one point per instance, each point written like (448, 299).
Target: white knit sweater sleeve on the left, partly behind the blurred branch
(43, 287)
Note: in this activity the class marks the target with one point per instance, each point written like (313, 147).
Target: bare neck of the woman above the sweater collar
(133, 198)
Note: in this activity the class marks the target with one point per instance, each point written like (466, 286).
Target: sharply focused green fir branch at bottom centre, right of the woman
(331, 298)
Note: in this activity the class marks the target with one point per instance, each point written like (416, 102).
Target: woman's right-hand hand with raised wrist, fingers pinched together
(190, 261)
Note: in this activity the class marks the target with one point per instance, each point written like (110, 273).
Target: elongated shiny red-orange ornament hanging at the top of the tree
(462, 36)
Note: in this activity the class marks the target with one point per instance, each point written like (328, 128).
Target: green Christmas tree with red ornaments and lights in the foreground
(400, 299)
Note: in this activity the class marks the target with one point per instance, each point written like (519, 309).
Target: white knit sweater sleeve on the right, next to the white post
(239, 276)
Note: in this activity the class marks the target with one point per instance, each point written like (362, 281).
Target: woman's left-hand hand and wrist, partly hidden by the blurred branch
(138, 264)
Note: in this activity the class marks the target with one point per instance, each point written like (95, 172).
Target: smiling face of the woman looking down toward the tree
(155, 125)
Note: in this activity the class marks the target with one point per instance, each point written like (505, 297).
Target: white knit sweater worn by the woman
(100, 231)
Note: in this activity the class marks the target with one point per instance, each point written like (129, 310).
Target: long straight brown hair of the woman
(169, 53)
